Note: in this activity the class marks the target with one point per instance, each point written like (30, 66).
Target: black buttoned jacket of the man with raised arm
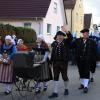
(60, 51)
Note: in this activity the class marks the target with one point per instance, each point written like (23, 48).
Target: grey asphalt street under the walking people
(74, 93)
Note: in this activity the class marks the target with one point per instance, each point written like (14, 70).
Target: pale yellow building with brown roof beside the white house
(75, 15)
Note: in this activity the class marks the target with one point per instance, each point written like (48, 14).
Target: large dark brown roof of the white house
(23, 8)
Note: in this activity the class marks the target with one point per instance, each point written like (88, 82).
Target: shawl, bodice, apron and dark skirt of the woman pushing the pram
(42, 52)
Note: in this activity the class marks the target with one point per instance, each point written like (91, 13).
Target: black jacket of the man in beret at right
(85, 50)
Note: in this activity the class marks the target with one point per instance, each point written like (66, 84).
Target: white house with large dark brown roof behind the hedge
(45, 17)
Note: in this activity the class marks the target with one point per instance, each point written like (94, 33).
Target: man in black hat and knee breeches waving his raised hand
(59, 59)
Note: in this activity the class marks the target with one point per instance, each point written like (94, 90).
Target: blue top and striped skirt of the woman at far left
(6, 70)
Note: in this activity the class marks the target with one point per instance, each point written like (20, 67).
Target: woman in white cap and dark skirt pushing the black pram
(41, 56)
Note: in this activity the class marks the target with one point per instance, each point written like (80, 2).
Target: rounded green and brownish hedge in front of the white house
(27, 34)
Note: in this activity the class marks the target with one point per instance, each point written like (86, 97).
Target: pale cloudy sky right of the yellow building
(93, 6)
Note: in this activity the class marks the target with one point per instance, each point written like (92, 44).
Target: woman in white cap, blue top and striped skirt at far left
(6, 70)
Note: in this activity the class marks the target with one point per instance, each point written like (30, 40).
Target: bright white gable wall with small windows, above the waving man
(54, 19)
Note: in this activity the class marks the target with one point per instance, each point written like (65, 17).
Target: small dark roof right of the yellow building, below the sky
(87, 20)
